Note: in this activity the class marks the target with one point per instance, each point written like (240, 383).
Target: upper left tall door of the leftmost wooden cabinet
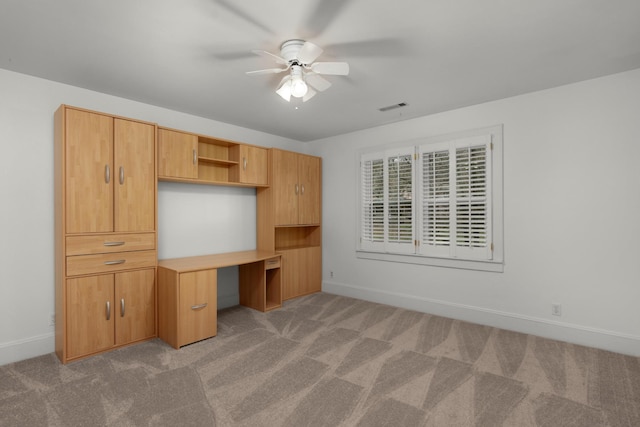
(88, 172)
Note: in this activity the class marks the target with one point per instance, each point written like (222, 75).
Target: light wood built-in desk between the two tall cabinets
(187, 291)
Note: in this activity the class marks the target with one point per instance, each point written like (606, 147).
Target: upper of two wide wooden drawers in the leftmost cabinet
(107, 243)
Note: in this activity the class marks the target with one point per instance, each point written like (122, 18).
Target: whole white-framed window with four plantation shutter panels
(434, 200)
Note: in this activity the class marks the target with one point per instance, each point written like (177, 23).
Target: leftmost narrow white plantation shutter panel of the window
(372, 202)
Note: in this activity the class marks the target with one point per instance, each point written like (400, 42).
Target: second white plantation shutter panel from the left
(400, 195)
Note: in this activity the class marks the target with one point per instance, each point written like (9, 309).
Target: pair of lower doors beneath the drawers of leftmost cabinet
(109, 310)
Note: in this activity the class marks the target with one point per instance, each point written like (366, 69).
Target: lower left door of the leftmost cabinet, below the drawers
(90, 315)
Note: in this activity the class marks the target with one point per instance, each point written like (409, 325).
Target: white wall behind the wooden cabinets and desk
(192, 219)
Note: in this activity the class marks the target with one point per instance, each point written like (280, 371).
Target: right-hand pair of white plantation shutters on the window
(455, 209)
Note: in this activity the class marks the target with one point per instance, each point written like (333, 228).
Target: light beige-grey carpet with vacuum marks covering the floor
(326, 360)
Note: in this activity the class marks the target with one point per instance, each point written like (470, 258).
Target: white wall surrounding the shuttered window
(571, 217)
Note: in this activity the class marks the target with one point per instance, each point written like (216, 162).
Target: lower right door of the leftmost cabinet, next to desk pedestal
(135, 306)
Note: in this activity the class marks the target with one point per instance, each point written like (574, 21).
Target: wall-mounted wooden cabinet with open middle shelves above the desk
(188, 157)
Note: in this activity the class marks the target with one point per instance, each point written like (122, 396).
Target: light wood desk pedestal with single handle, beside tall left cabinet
(188, 304)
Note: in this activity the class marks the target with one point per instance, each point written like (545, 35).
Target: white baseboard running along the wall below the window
(576, 334)
